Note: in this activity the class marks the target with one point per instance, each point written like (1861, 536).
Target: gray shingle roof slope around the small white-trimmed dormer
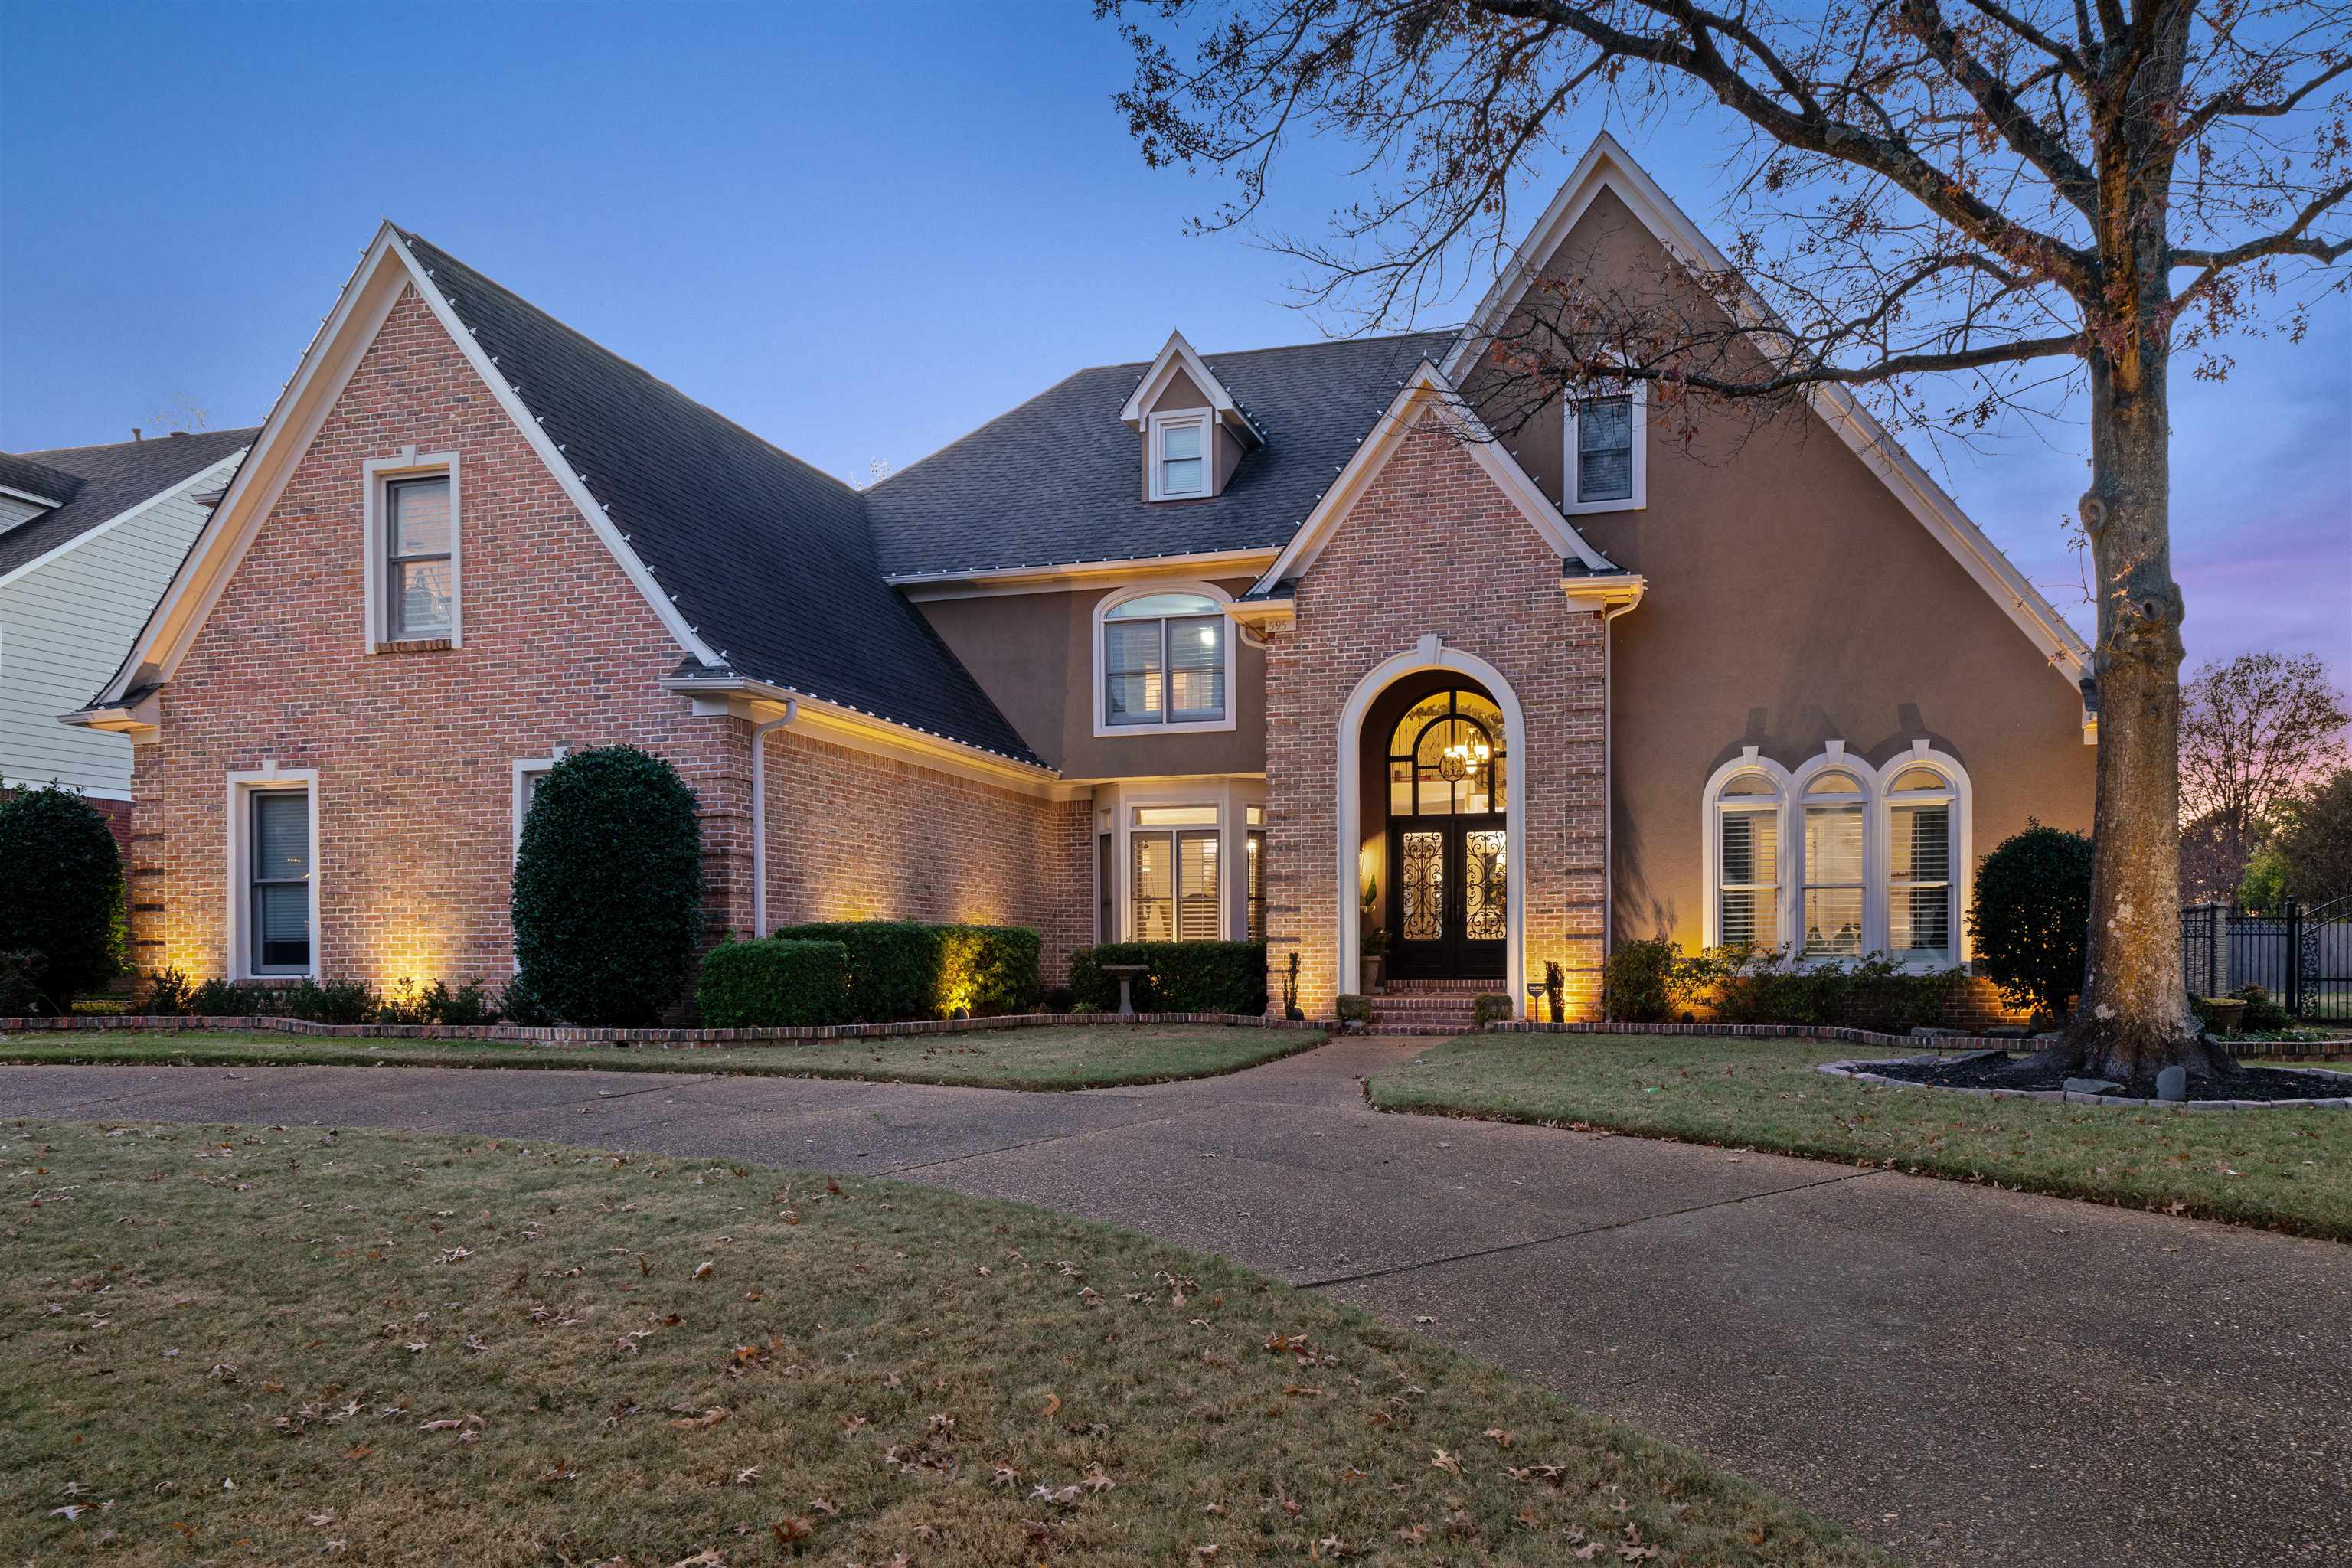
(1060, 481)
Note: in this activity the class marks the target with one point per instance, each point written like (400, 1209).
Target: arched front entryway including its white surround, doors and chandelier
(1431, 822)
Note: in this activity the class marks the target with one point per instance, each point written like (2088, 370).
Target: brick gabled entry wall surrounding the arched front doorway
(1436, 549)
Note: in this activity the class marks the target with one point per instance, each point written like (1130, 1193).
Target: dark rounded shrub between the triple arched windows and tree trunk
(2031, 918)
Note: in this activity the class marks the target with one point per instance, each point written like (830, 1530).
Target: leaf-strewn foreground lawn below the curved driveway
(269, 1346)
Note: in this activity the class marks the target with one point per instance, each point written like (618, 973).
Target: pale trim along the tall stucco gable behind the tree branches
(1612, 168)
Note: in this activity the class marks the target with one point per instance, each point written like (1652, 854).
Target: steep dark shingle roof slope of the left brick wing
(766, 556)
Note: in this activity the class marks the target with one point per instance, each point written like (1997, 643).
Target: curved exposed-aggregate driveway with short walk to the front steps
(1963, 1376)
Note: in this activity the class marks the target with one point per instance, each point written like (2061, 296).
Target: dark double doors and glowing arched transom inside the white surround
(1441, 810)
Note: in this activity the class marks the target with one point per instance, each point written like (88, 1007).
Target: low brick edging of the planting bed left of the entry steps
(100, 1024)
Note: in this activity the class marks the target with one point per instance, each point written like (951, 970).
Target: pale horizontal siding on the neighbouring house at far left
(65, 626)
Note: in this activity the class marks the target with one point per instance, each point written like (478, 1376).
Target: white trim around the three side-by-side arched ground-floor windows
(1878, 843)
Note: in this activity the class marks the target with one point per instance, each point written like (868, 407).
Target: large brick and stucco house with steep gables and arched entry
(1208, 645)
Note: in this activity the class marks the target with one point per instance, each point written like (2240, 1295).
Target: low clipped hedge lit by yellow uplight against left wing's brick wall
(914, 970)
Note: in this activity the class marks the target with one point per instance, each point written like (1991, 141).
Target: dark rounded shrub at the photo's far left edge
(65, 890)
